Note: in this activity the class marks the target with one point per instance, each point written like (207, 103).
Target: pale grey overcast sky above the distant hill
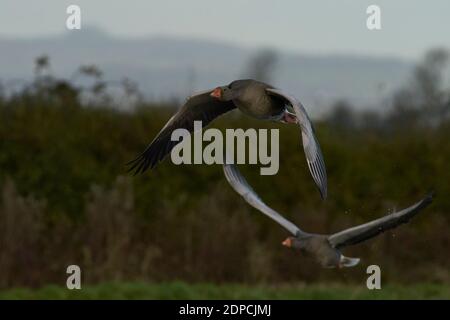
(408, 28)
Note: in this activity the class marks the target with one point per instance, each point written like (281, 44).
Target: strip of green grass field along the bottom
(181, 290)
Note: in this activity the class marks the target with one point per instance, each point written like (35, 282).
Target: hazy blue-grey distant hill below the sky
(168, 67)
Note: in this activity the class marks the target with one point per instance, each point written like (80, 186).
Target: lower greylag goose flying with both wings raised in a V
(325, 248)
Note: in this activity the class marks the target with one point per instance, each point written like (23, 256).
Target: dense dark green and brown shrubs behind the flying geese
(67, 199)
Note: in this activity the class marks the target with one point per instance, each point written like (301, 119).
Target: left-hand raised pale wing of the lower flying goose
(241, 186)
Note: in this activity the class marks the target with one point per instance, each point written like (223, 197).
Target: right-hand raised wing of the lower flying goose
(373, 228)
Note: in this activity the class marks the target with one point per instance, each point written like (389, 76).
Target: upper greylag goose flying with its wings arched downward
(254, 98)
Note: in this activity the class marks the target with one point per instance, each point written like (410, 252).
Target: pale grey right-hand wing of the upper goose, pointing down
(311, 146)
